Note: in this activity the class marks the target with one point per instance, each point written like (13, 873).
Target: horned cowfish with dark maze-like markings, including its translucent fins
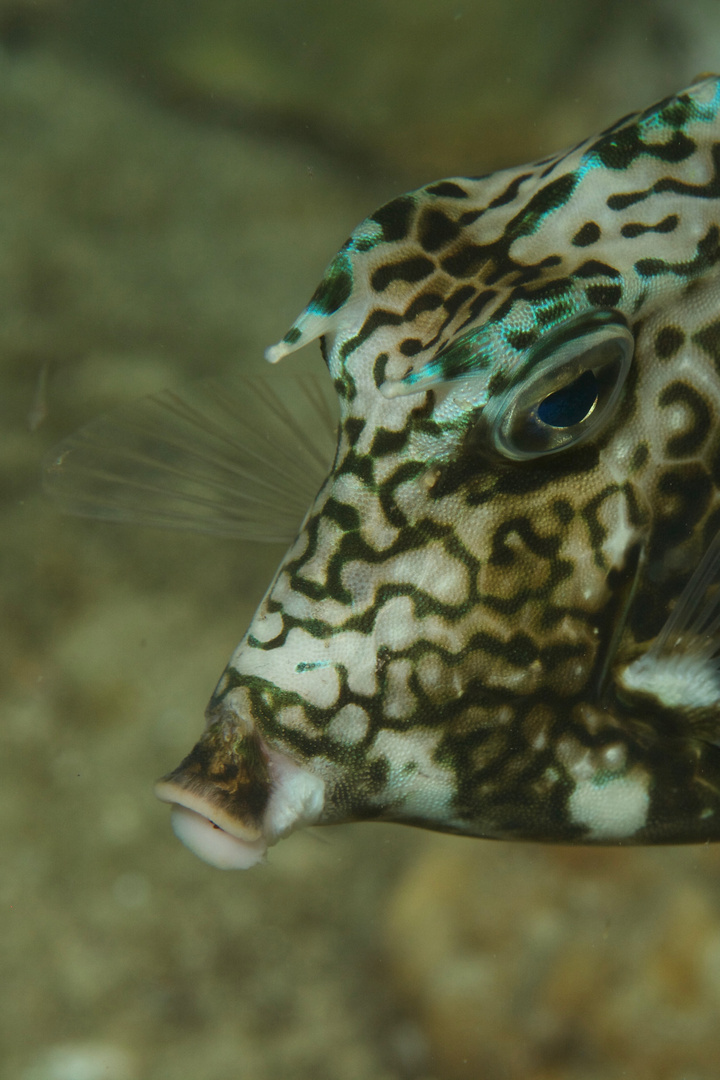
(500, 615)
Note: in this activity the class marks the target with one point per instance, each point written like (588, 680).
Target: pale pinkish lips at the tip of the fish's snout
(212, 835)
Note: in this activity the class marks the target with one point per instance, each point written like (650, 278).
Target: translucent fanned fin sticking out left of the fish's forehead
(240, 461)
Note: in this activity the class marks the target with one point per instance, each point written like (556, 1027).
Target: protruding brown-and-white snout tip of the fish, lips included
(234, 796)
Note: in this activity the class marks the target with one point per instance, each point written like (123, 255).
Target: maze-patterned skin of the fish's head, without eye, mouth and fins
(520, 590)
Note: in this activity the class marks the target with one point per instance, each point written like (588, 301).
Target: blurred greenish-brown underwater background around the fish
(174, 178)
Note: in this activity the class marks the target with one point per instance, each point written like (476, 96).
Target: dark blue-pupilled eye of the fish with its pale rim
(570, 386)
